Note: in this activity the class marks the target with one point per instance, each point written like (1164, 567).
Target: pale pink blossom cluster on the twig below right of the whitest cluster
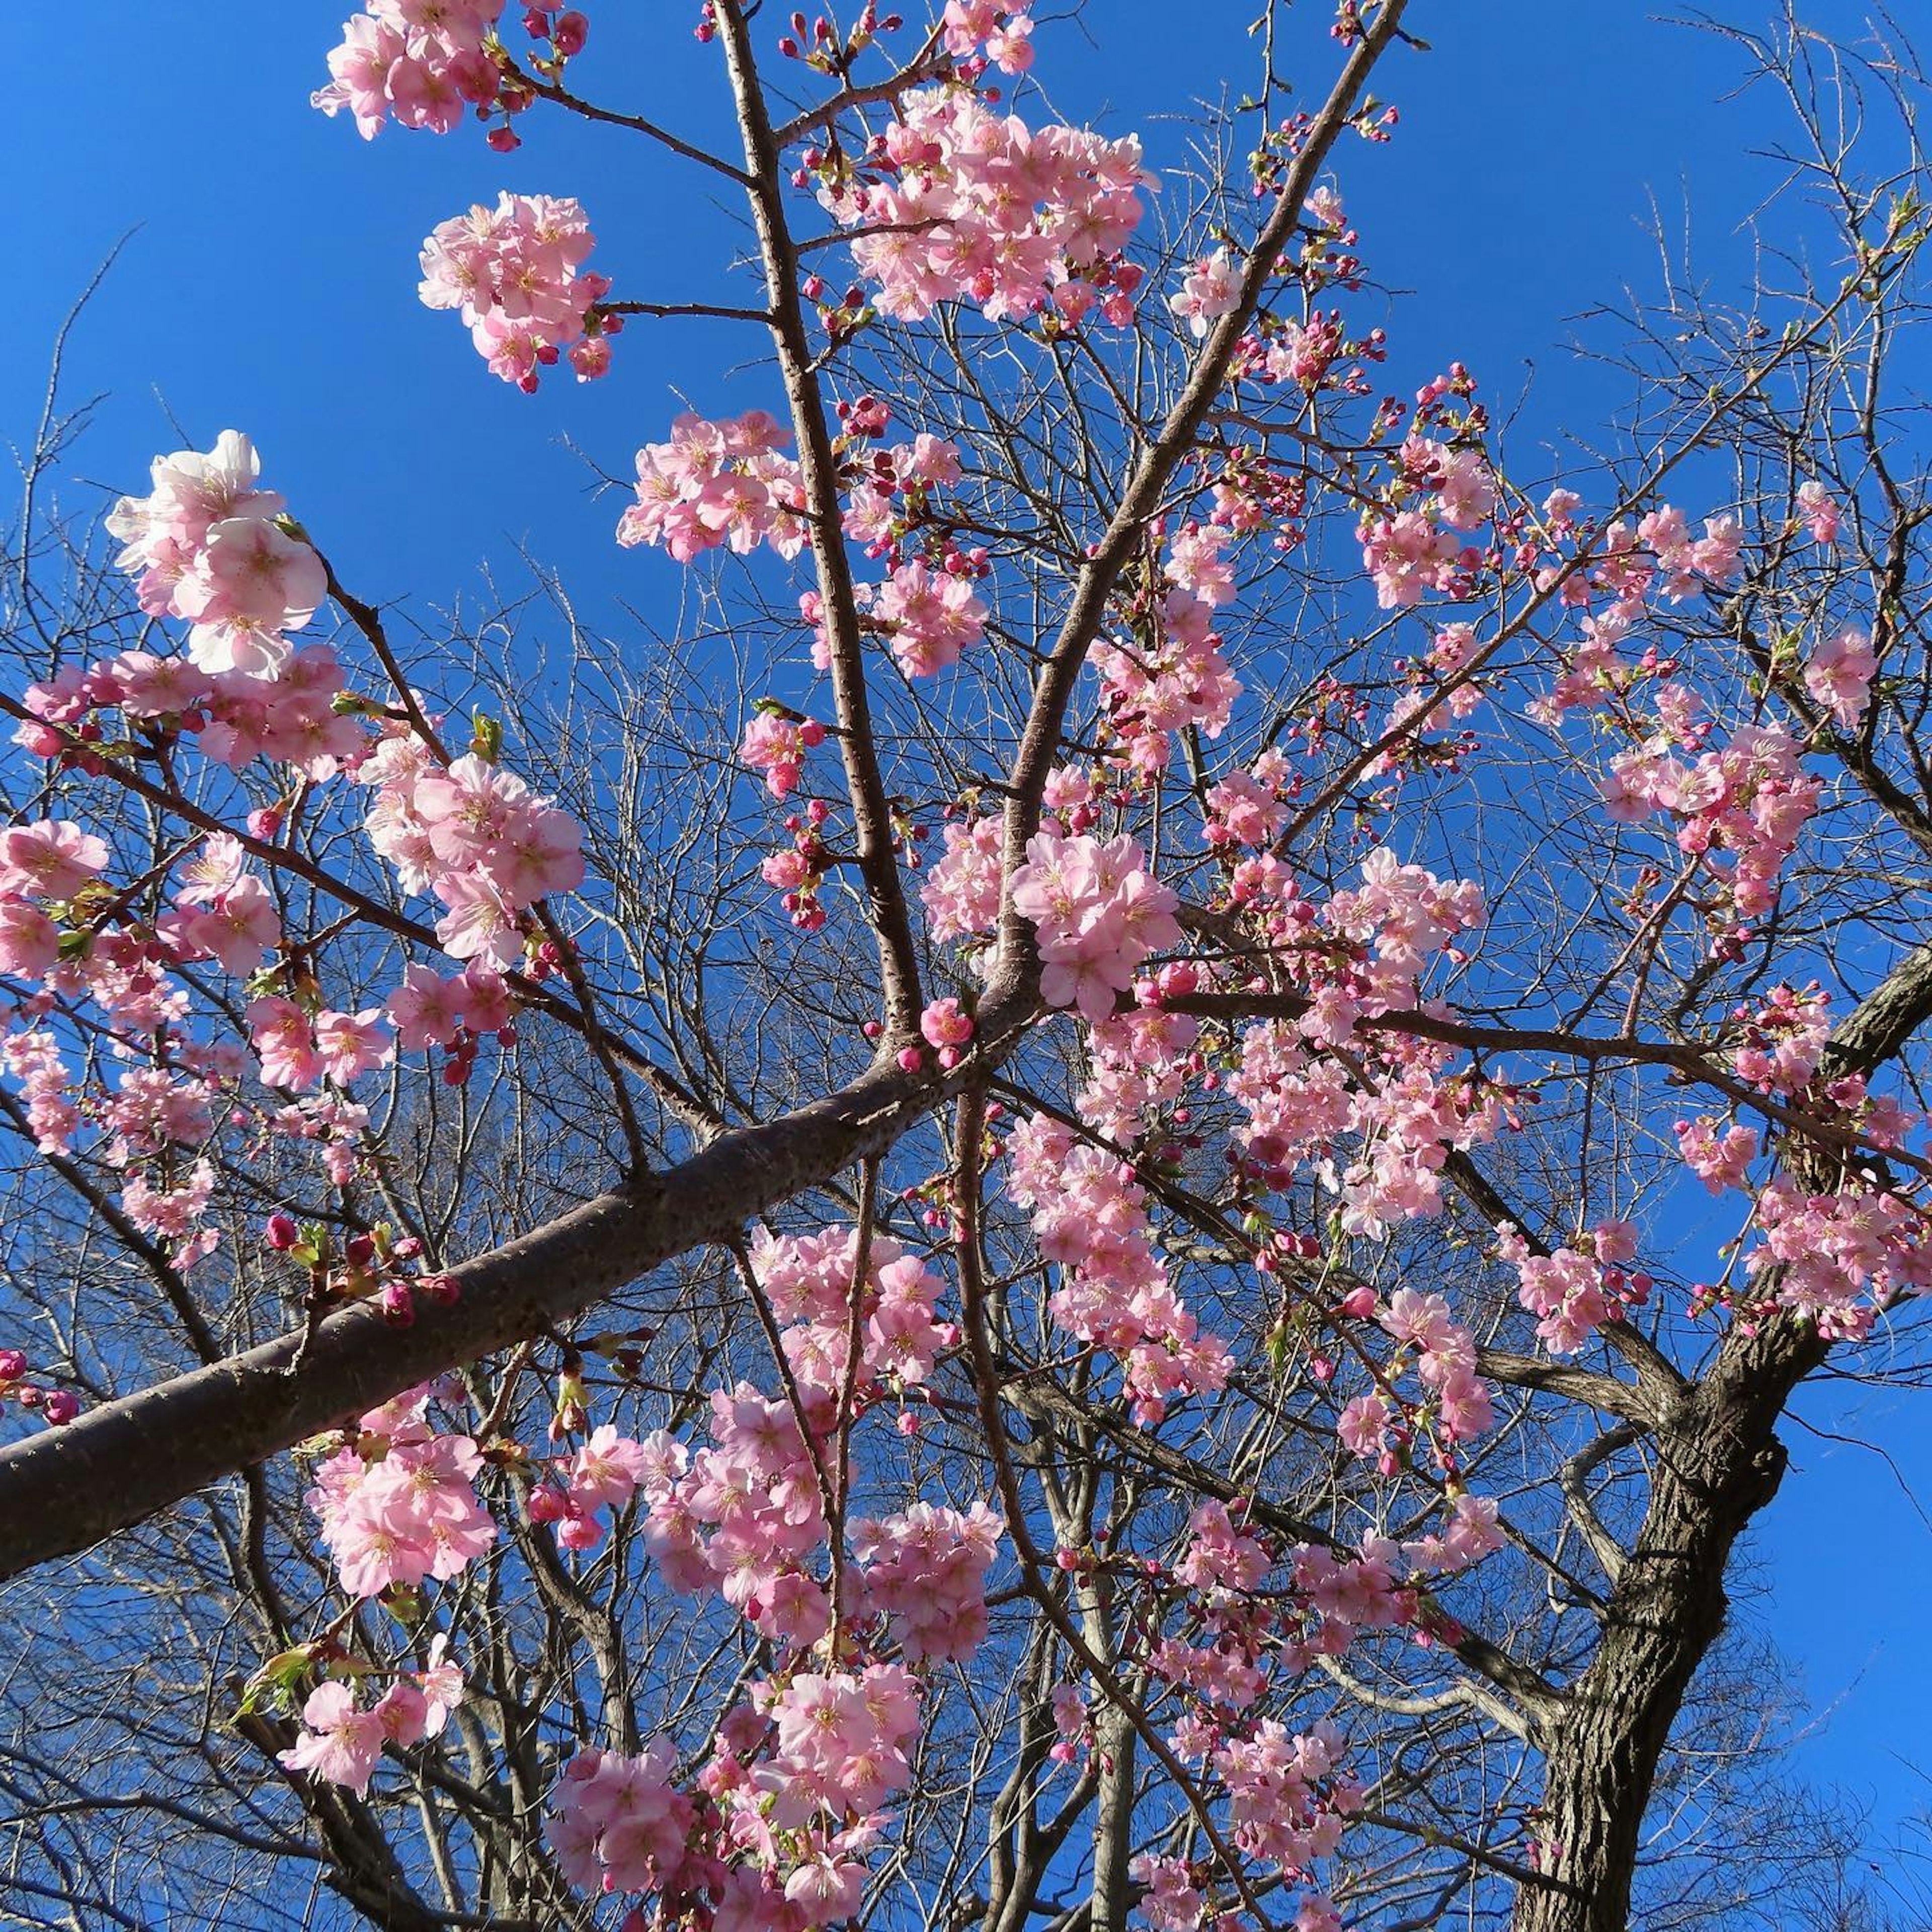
(474, 836)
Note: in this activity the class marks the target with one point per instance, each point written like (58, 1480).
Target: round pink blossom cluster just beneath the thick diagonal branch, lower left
(399, 1502)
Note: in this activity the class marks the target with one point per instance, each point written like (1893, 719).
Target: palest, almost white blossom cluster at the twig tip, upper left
(212, 550)
